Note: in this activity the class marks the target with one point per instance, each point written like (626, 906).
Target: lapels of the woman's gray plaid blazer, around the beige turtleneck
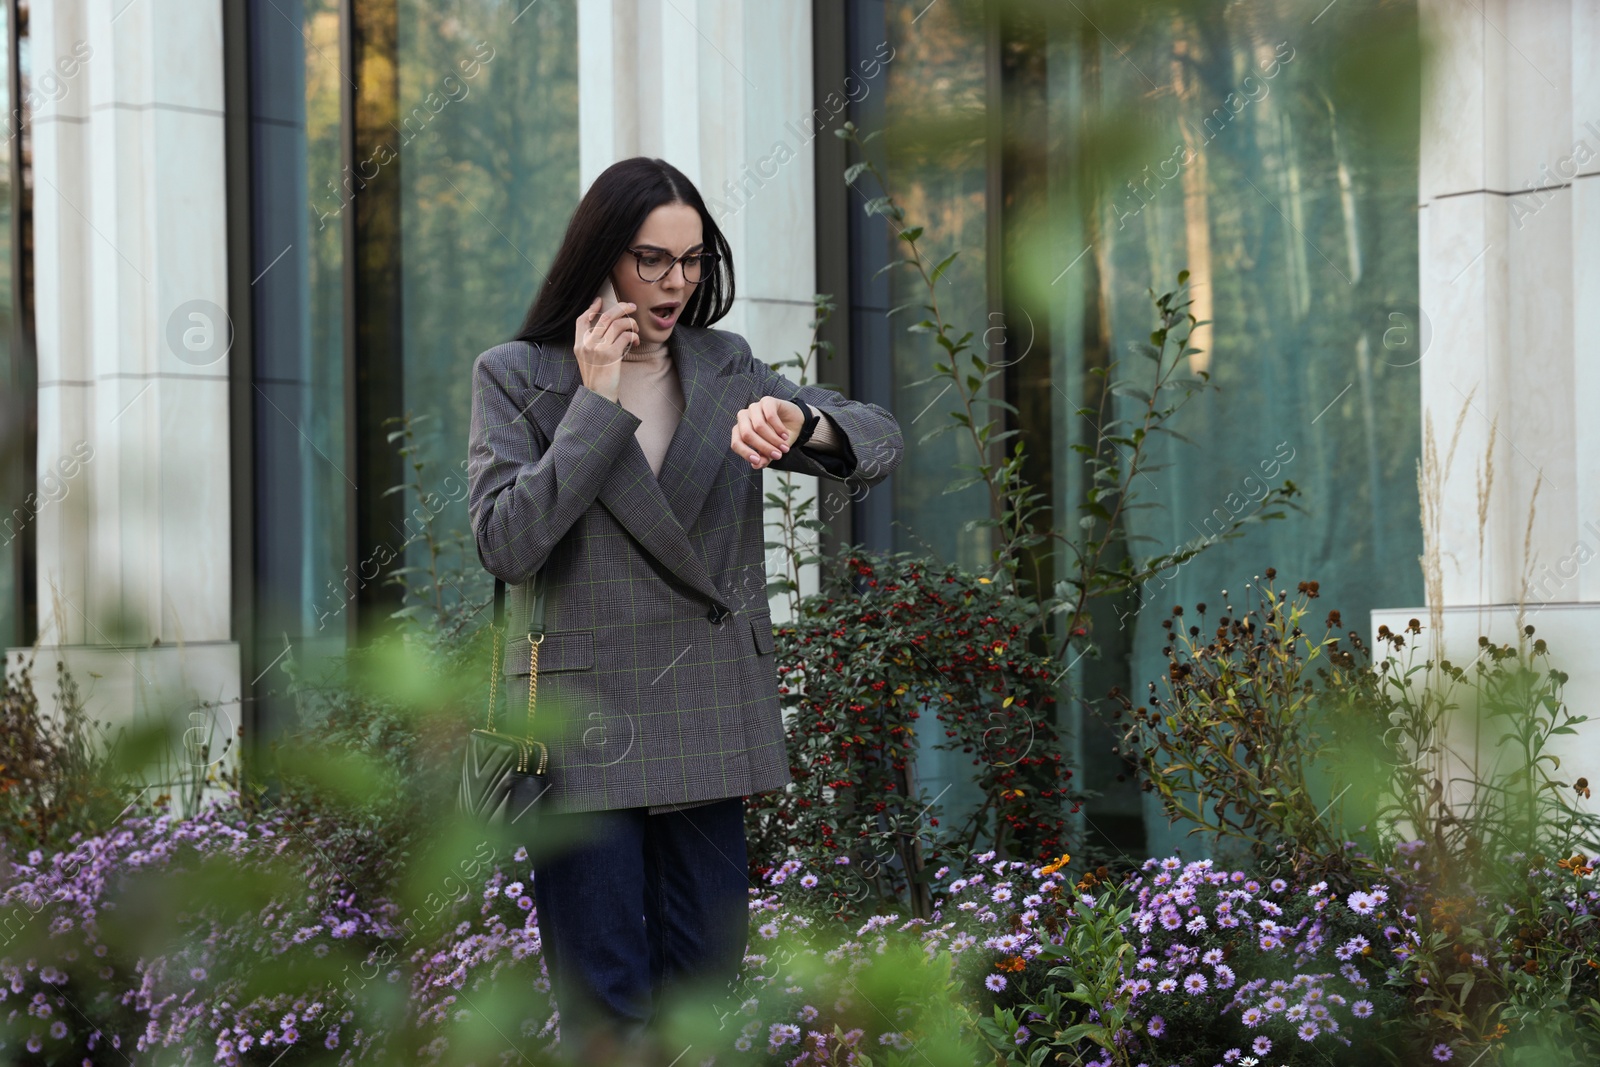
(647, 508)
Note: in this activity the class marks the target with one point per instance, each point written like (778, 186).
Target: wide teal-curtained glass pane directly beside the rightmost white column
(1298, 230)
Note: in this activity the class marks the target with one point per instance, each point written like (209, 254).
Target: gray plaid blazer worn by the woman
(657, 676)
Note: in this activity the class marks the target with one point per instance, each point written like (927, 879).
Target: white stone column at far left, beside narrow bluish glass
(134, 359)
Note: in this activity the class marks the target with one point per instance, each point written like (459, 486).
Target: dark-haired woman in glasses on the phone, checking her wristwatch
(620, 455)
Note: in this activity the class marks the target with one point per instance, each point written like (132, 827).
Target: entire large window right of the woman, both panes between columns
(1297, 223)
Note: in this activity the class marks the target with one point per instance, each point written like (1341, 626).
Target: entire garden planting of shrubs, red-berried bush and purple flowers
(1439, 911)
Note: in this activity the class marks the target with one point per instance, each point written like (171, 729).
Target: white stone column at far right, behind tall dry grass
(1510, 268)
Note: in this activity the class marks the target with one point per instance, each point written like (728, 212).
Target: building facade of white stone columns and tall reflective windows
(246, 239)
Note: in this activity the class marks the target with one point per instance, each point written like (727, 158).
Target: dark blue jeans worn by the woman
(636, 906)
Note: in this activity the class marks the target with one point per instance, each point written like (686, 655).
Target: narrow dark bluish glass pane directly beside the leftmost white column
(300, 201)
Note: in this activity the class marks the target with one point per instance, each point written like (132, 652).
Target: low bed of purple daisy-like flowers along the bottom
(1204, 965)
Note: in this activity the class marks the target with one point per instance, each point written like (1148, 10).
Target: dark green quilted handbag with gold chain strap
(503, 775)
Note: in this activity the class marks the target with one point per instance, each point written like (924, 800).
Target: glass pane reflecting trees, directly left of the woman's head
(489, 146)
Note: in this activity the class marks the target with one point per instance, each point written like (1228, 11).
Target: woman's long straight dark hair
(601, 231)
